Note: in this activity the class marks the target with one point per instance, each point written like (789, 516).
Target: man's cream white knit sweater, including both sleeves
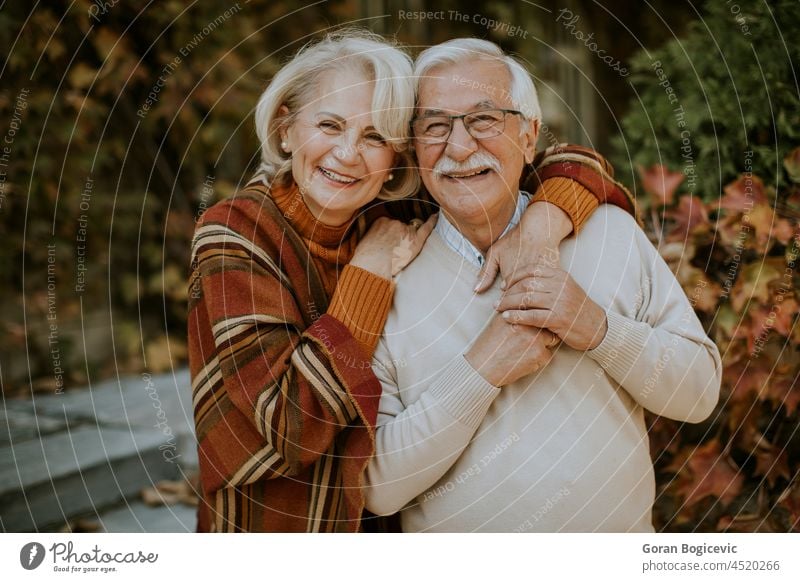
(565, 449)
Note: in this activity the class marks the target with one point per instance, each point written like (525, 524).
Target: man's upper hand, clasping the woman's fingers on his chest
(548, 297)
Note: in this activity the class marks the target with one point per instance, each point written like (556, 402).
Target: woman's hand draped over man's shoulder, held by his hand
(535, 240)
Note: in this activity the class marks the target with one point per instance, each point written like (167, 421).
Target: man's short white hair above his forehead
(453, 52)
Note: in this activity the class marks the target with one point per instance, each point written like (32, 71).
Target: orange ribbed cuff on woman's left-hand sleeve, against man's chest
(361, 302)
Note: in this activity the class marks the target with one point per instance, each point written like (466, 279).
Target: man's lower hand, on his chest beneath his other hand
(503, 353)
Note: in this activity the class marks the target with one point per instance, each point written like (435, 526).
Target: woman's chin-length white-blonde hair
(294, 86)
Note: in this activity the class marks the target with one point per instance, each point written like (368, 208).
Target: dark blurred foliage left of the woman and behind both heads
(143, 112)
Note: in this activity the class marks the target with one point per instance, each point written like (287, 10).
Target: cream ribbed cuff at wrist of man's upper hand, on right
(624, 342)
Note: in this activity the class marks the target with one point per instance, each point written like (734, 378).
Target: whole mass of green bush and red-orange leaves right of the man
(713, 136)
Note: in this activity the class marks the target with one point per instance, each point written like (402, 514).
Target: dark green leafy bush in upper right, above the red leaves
(735, 88)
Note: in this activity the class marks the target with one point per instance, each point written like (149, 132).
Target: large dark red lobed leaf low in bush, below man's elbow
(712, 475)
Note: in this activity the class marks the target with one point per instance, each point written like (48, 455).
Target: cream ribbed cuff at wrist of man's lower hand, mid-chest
(464, 393)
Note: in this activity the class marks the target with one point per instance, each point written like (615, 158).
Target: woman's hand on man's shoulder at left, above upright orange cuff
(390, 245)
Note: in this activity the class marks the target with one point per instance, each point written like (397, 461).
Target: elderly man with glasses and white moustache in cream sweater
(477, 430)
